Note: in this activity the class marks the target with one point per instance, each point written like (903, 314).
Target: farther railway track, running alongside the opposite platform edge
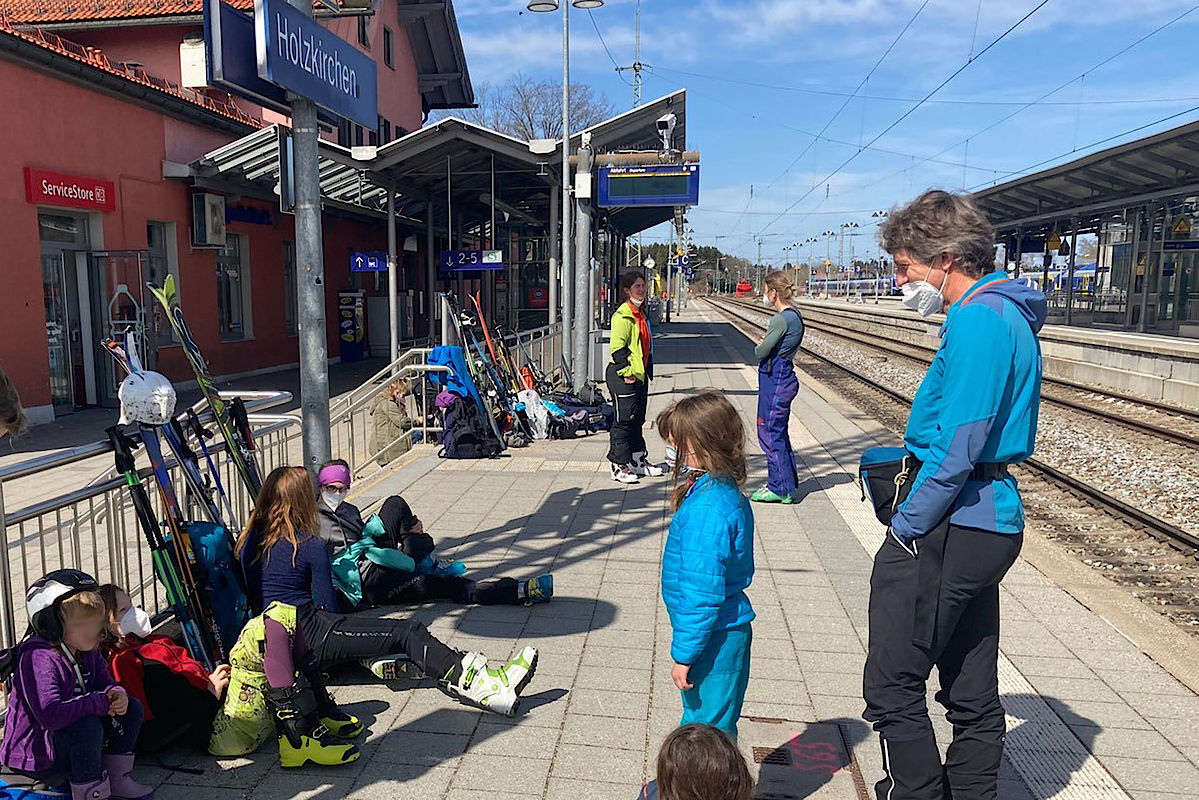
(1184, 423)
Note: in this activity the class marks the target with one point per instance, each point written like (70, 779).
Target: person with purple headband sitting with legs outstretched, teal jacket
(388, 561)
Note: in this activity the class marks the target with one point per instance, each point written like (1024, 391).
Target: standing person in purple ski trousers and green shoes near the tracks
(778, 387)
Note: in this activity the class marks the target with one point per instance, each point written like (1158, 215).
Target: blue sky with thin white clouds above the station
(809, 115)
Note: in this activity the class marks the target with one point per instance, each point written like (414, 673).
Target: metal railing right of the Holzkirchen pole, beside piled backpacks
(353, 424)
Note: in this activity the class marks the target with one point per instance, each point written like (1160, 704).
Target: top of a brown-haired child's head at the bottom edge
(698, 762)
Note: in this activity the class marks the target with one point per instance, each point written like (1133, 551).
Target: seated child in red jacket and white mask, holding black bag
(178, 694)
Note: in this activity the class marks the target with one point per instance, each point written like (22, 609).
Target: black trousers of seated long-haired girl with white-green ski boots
(338, 639)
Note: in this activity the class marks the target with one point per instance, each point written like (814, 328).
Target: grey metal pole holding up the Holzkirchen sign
(311, 281)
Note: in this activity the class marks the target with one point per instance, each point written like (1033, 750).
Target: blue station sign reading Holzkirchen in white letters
(299, 55)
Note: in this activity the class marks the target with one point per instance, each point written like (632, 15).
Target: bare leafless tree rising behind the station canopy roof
(533, 110)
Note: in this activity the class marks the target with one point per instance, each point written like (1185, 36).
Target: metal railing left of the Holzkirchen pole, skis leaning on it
(95, 527)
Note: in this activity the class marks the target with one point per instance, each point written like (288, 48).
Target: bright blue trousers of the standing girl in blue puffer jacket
(719, 679)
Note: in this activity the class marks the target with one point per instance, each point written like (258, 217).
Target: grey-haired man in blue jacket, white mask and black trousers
(935, 591)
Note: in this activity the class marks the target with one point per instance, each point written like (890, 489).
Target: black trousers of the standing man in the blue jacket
(938, 607)
